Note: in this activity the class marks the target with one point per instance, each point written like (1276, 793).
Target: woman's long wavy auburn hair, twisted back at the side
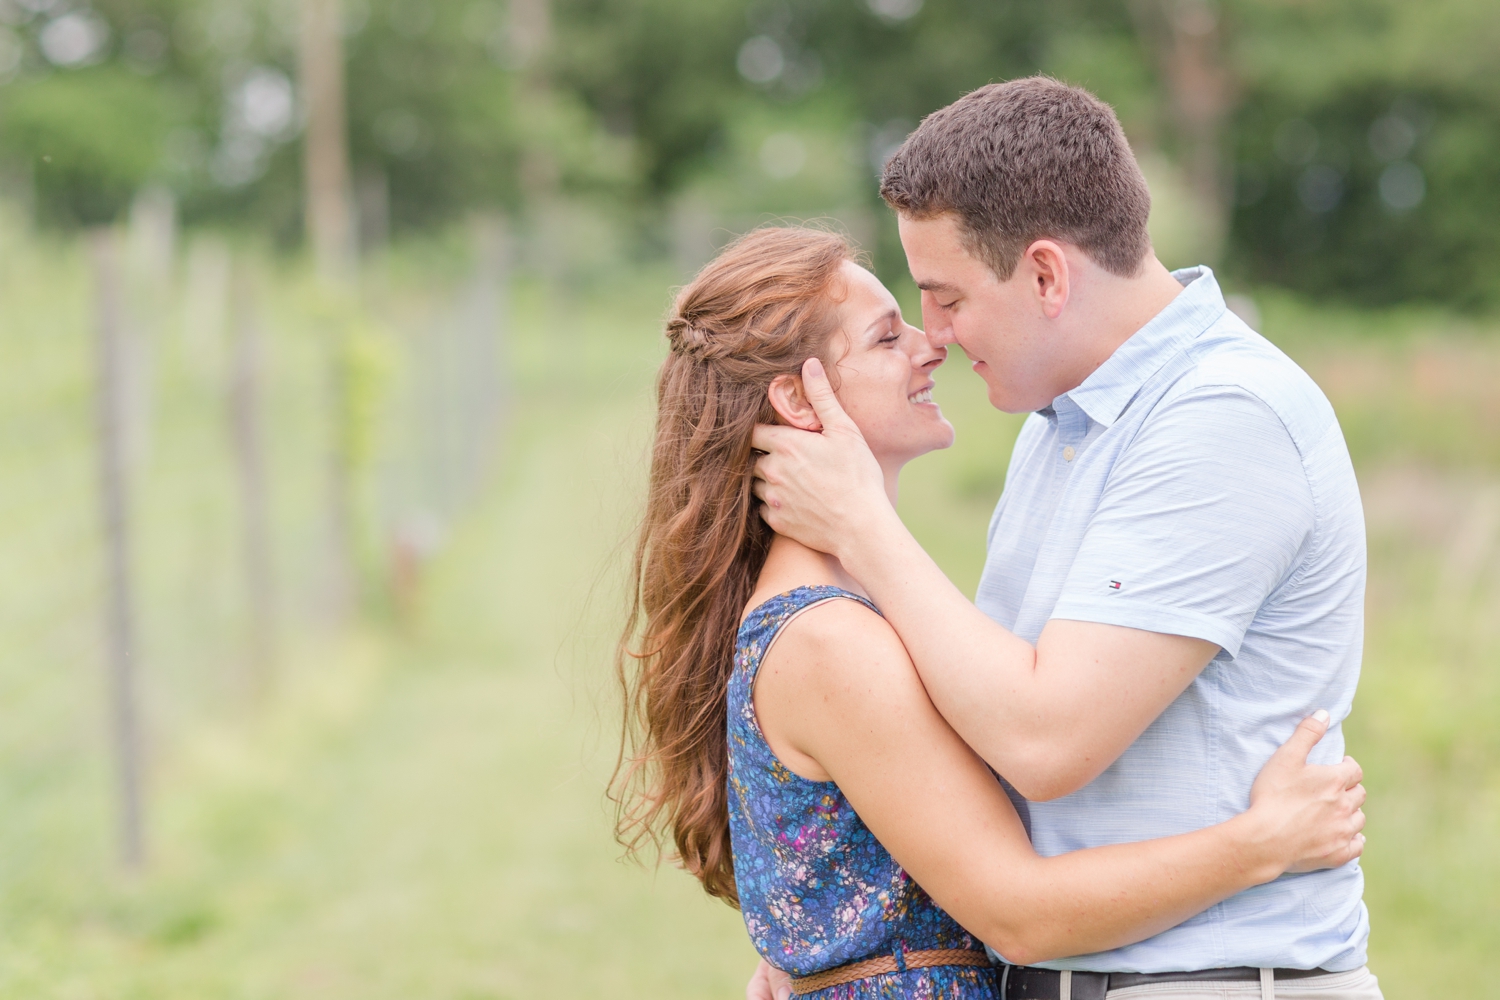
(760, 310)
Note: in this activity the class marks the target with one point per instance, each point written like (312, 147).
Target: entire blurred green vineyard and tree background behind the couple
(328, 332)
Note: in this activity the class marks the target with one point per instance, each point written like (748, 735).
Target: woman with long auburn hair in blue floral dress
(778, 728)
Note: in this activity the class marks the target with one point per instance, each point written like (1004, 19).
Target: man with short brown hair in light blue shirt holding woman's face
(1177, 567)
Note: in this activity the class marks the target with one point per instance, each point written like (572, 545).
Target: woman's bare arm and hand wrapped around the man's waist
(839, 698)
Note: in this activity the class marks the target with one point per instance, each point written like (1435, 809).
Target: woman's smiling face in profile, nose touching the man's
(886, 376)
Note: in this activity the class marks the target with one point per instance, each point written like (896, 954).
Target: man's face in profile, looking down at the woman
(998, 325)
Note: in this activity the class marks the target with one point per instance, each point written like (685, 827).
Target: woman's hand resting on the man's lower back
(1310, 815)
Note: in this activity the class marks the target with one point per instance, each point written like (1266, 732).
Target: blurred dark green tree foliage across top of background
(1363, 139)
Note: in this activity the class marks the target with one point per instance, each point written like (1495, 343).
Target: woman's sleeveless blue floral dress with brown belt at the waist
(817, 888)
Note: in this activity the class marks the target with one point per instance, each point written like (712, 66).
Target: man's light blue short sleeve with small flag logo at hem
(1204, 516)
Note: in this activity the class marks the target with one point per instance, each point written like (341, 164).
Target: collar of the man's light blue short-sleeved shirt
(1106, 394)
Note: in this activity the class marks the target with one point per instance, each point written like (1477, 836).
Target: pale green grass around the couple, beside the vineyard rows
(419, 812)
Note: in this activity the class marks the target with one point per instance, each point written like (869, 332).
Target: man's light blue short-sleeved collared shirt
(1199, 485)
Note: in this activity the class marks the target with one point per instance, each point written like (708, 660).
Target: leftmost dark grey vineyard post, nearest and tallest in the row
(121, 654)
